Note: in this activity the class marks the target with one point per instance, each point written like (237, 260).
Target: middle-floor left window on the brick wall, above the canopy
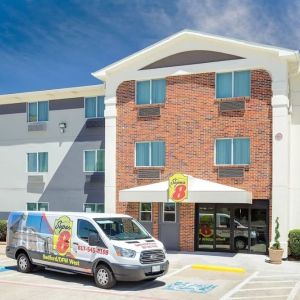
(150, 154)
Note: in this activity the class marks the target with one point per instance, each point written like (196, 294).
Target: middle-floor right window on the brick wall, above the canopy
(234, 151)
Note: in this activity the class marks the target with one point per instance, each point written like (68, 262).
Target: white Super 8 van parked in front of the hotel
(110, 247)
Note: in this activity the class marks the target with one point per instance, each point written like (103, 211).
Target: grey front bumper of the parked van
(138, 273)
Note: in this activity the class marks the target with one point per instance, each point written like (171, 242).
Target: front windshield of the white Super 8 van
(122, 229)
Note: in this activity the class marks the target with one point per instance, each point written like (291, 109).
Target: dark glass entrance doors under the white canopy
(222, 227)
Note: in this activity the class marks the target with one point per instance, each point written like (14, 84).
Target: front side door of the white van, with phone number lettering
(85, 253)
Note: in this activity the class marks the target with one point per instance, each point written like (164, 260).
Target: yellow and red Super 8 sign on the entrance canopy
(178, 187)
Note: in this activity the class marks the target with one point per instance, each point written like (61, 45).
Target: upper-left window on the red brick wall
(151, 91)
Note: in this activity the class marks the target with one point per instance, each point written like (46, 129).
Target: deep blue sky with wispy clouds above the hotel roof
(47, 44)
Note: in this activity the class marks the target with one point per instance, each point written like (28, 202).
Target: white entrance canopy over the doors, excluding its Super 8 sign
(199, 191)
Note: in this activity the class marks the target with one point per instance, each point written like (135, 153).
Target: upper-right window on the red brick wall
(233, 84)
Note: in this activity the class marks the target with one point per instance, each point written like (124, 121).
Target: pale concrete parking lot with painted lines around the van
(259, 281)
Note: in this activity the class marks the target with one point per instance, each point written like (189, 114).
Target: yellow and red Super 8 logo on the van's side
(62, 235)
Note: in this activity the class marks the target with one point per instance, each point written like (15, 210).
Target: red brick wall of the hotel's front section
(190, 122)
